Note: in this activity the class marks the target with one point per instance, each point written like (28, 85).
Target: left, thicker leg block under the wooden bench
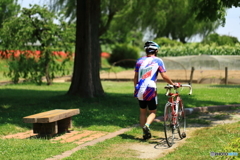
(45, 128)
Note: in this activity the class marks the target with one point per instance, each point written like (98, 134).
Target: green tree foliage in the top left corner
(8, 8)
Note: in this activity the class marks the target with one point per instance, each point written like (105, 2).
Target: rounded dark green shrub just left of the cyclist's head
(124, 55)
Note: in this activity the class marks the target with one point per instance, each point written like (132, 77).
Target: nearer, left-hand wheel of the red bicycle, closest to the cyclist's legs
(168, 126)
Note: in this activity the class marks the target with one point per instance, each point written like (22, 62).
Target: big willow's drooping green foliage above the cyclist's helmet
(171, 19)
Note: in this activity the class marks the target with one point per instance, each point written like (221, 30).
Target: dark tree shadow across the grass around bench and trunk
(113, 109)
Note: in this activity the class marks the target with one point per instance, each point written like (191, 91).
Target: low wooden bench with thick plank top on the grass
(52, 122)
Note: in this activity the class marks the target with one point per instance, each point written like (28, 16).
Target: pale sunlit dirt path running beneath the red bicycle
(157, 148)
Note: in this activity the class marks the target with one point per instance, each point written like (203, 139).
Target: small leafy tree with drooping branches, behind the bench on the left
(36, 26)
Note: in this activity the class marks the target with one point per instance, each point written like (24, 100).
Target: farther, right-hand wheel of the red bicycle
(181, 121)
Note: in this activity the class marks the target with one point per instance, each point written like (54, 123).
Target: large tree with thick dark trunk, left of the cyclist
(91, 22)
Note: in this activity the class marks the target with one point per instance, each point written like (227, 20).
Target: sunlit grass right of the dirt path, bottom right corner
(205, 141)
